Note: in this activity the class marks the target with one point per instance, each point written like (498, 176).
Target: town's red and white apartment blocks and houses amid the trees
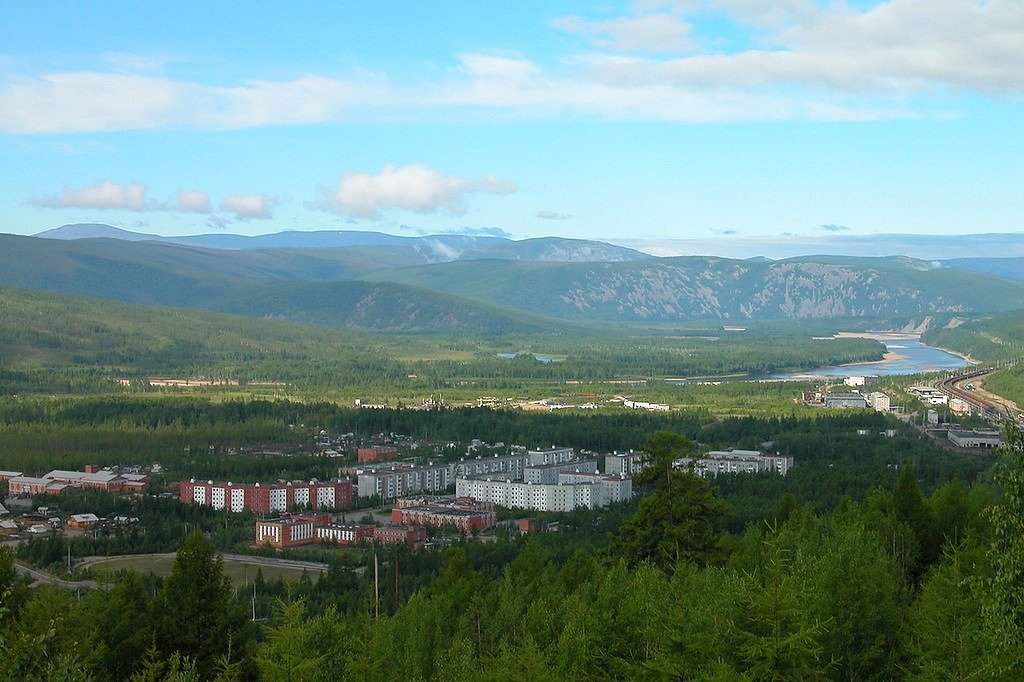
(425, 498)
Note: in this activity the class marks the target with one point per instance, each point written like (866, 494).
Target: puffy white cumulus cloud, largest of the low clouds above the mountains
(416, 188)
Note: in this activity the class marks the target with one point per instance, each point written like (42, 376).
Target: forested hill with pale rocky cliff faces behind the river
(668, 290)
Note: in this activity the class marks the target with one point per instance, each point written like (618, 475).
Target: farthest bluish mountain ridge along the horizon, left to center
(433, 249)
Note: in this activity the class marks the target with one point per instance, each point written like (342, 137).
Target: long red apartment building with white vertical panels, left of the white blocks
(267, 498)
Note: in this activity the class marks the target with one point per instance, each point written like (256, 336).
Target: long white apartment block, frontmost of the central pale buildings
(592, 493)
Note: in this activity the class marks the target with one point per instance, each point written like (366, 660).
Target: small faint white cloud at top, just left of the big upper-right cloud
(649, 33)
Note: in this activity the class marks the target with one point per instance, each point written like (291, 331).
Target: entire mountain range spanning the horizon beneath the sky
(489, 285)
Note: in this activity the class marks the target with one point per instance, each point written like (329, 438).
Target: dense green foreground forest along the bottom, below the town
(903, 584)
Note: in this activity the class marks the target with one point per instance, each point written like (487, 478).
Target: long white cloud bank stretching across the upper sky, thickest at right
(806, 60)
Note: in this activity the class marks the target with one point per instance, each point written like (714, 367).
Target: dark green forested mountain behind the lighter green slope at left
(276, 285)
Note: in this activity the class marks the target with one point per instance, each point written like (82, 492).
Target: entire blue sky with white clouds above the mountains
(650, 120)
